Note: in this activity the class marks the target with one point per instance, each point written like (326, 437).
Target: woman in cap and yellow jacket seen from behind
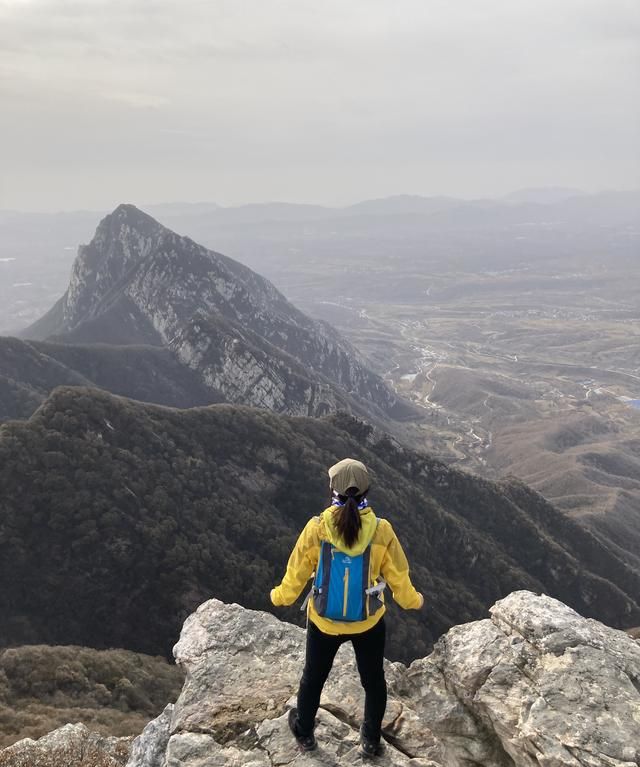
(349, 550)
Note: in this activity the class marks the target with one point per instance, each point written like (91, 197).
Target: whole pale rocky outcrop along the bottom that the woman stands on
(533, 685)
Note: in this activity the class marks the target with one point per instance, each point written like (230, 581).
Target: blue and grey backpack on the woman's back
(341, 588)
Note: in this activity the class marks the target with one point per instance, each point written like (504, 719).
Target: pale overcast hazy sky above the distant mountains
(333, 101)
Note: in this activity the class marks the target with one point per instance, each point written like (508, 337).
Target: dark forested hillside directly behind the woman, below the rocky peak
(117, 519)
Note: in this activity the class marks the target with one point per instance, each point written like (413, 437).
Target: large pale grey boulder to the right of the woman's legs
(535, 685)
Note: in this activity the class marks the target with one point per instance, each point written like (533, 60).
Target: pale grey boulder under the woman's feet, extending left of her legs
(243, 669)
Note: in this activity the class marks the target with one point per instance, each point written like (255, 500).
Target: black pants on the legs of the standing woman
(321, 651)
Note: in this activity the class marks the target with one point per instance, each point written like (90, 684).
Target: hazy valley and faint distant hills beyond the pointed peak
(513, 329)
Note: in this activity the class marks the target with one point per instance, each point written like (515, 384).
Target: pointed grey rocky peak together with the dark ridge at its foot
(211, 330)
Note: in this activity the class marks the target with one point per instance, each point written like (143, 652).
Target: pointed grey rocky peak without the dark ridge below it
(140, 283)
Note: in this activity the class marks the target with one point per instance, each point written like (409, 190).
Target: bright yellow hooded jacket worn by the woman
(387, 560)
